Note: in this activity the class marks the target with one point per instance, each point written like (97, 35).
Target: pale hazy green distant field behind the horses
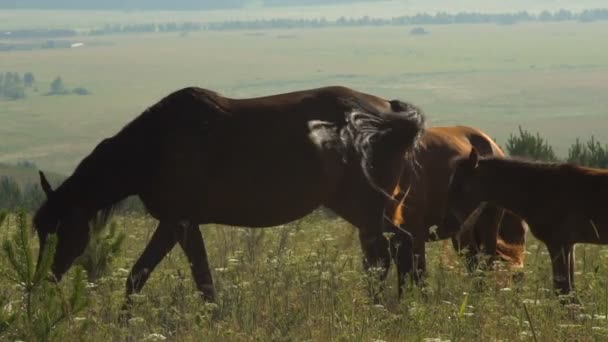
(546, 77)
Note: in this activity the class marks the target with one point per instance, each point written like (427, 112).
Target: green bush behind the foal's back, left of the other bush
(527, 145)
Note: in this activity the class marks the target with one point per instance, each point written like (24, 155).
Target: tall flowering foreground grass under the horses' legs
(304, 281)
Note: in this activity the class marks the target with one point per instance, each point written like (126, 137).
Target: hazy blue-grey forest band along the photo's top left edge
(158, 4)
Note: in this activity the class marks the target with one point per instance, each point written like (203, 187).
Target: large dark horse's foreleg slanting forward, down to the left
(160, 244)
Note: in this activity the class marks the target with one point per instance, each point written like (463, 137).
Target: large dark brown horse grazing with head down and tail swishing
(196, 157)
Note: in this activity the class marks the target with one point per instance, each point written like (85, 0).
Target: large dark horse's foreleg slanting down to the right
(191, 241)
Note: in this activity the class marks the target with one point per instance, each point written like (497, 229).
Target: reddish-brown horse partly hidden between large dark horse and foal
(496, 232)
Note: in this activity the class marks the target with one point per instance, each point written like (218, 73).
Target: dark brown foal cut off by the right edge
(562, 203)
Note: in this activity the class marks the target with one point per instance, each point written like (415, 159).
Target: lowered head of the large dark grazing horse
(69, 221)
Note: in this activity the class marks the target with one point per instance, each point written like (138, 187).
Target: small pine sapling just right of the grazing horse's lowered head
(101, 250)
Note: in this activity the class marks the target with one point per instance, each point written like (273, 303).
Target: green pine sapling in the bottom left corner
(44, 306)
